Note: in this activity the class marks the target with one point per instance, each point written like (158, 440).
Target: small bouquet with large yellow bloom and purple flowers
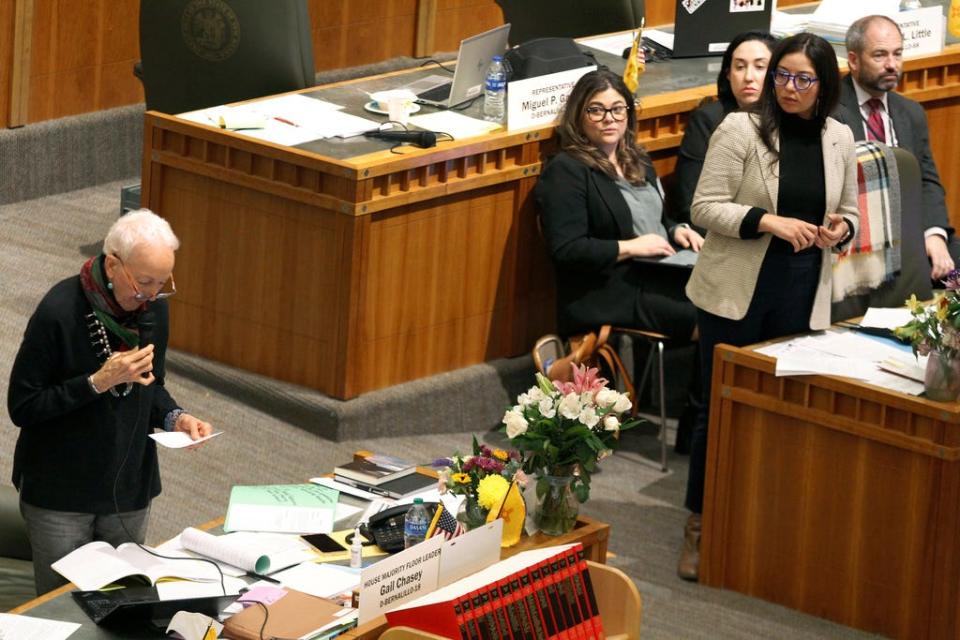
(484, 478)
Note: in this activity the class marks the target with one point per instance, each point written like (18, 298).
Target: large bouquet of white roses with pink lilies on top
(566, 428)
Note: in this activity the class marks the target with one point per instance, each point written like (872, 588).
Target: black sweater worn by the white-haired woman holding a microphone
(72, 441)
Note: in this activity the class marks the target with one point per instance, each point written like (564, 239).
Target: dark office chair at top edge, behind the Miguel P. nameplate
(531, 19)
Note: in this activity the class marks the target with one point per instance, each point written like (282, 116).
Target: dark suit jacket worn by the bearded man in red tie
(910, 126)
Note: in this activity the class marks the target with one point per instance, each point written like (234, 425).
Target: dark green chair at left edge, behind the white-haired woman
(16, 567)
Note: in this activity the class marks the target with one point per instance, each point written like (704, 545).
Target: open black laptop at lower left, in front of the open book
(142, 606)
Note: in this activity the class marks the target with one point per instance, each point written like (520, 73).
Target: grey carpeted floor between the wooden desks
(45, 240)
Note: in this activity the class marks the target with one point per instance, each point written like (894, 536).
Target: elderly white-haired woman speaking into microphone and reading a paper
(86, 390)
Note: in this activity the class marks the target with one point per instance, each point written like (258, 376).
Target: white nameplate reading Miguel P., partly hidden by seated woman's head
(537, 101)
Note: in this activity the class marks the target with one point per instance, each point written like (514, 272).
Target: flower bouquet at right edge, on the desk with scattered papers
(936, 326)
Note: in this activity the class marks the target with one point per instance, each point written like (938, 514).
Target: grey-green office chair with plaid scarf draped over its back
(914, 276)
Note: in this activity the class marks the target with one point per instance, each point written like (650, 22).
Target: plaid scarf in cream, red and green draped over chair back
(873, 255)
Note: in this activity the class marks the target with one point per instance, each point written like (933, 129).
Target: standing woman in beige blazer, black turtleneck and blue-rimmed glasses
(777, 196)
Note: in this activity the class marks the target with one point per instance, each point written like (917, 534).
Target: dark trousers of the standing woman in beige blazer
(781, 305)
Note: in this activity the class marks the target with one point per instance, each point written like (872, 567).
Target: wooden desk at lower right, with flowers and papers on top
(833, 497)
